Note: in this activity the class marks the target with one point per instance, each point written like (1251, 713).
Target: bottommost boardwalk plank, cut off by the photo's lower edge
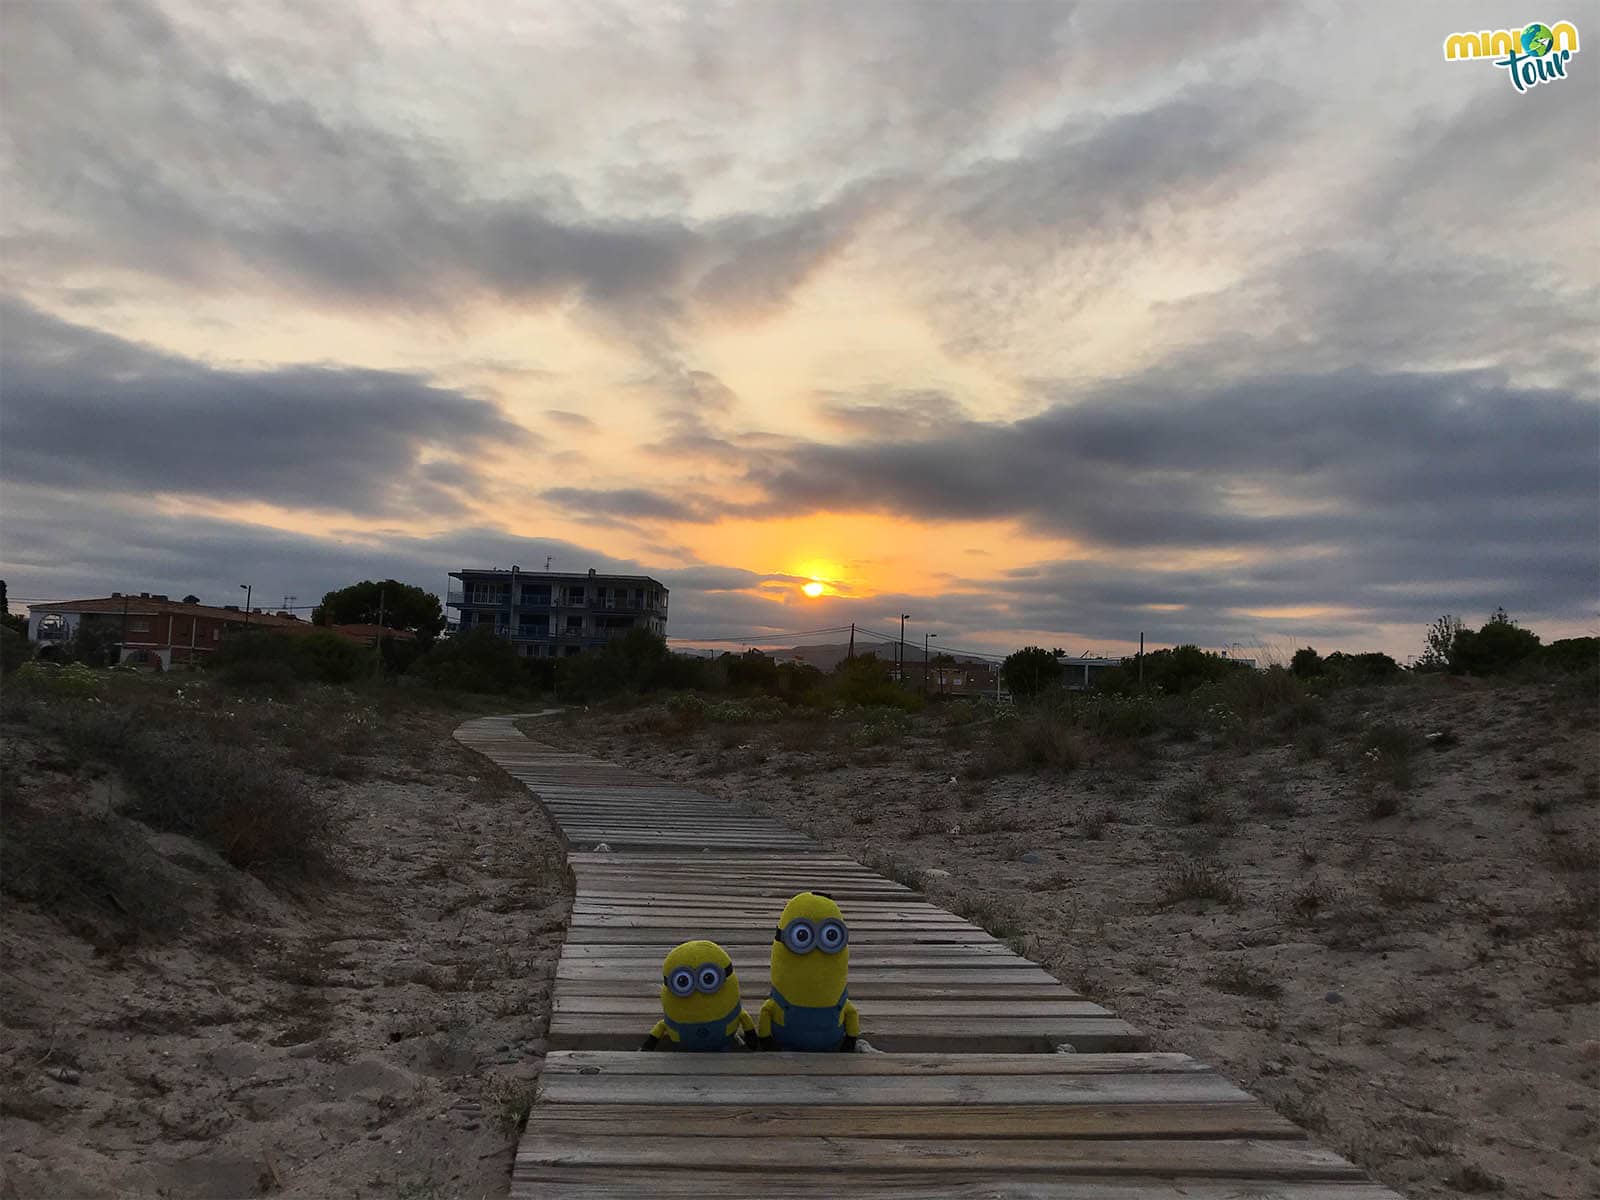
(540, 1183)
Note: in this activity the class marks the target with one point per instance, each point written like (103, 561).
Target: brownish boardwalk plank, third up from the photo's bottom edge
(910, 1121)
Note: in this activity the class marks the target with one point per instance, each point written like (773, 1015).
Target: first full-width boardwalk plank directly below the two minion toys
(879, 1066)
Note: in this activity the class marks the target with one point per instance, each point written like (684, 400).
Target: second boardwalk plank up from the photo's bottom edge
(1234, 1158)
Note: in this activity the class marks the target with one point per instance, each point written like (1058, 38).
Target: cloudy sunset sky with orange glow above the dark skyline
(1239, 324)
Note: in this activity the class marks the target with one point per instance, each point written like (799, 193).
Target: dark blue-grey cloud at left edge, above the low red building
(98, 414)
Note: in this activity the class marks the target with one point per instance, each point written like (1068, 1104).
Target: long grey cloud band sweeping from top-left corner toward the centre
(329, 207)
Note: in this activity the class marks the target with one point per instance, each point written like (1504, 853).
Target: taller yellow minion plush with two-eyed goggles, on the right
(810, 1007)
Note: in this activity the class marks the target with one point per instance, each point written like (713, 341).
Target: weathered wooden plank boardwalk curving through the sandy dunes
(969, 1100)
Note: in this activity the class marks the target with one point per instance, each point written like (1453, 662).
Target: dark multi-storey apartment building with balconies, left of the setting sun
(551, 614)
